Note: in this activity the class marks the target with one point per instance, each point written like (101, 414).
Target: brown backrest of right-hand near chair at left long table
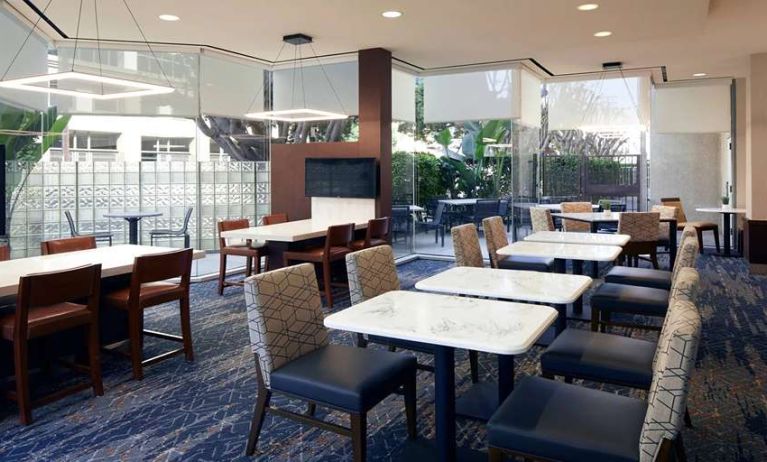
(160, 267)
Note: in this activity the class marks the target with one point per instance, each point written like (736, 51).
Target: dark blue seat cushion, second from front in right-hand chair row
(600, 357)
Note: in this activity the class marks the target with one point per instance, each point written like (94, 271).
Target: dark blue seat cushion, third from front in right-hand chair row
(620, 298)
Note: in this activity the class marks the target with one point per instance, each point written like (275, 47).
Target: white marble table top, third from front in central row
(563, 251)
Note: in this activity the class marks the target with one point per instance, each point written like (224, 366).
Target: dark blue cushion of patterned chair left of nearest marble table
(347, 378)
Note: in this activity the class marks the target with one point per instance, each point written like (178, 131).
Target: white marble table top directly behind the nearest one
(530, 286)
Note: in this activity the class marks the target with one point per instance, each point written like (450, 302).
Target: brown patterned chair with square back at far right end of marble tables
(643, 229)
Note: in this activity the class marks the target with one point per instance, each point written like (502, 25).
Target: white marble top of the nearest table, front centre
(491, 326)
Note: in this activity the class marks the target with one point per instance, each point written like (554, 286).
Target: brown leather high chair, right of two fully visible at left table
(147, 289)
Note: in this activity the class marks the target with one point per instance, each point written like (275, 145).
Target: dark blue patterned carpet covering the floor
(201, 411)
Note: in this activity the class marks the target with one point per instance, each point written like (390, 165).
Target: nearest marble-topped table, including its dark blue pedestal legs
(445, 323)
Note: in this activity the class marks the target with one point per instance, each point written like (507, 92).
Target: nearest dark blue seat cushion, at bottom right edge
(557, 421)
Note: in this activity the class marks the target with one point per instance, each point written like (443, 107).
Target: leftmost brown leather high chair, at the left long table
(49, 303)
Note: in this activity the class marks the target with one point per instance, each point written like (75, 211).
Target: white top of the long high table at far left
(114, 260)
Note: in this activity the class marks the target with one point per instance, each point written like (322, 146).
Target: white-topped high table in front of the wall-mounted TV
(288, 235)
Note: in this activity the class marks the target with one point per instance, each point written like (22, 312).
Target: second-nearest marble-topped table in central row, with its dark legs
(555, 289)
